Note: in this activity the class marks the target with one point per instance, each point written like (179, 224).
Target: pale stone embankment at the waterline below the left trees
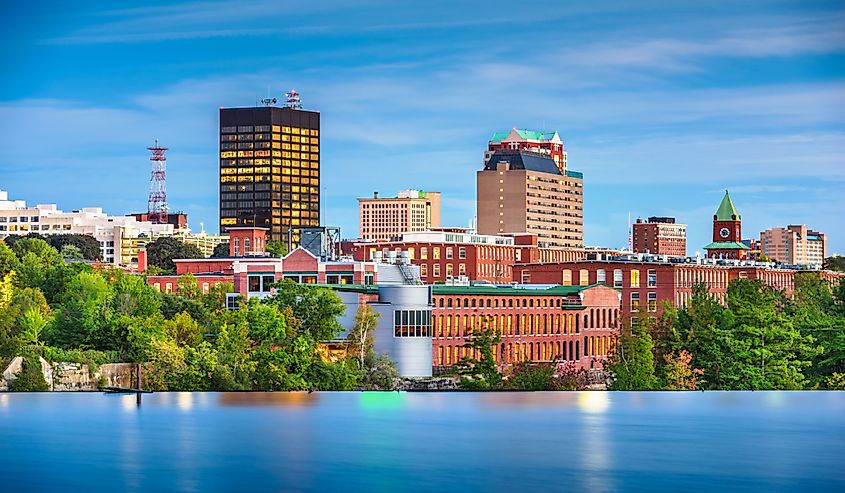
(63, 377)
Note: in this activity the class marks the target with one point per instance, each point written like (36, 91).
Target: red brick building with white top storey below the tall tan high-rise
(451, 253)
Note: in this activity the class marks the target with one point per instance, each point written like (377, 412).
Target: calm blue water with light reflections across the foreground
(427, 442)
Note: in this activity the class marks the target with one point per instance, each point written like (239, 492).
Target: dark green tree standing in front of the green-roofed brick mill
(479, 372)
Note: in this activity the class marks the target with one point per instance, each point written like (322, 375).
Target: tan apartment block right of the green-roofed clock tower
(794, 245)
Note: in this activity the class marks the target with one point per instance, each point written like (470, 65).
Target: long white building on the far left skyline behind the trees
(45, 219)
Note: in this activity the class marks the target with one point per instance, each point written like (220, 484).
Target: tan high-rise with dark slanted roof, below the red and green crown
(526, 192)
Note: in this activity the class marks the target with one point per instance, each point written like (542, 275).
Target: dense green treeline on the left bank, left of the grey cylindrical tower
(186, 340)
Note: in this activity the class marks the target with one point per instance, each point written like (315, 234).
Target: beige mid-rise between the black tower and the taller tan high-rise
(386, 218)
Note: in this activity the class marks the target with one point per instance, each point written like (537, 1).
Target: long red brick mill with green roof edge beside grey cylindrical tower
(569, 323)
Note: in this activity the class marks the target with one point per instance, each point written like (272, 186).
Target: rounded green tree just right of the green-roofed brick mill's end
(631, 363)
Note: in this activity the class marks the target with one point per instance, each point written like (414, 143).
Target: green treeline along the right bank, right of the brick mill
(759, 339)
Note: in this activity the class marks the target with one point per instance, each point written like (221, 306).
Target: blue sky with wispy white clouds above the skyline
(662, 105)
